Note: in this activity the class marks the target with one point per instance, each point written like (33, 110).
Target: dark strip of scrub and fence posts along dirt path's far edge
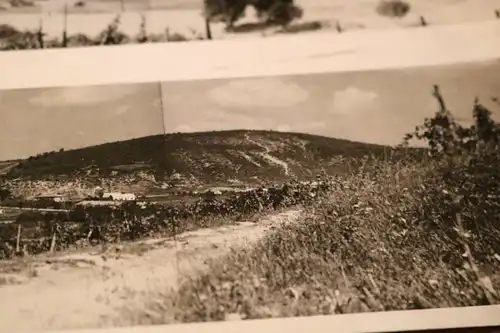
(35, 232)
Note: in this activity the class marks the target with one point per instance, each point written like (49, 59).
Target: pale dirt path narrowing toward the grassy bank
(88, 290)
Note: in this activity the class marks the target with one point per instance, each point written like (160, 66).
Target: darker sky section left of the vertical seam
(34, 121)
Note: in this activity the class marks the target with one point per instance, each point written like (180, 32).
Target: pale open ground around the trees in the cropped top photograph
(185, 16)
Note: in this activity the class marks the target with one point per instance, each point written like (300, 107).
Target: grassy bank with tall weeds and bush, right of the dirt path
(392, 236)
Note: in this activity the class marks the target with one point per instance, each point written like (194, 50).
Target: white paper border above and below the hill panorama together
(258, 57)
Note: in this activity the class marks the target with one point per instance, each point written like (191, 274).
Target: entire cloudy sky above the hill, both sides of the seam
(374, 107)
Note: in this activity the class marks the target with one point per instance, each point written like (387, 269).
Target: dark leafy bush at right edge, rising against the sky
(467, 186)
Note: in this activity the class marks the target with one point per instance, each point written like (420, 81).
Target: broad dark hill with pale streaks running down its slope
(219, 157)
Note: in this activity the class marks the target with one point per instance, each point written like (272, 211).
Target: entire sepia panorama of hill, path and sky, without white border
(250, 198)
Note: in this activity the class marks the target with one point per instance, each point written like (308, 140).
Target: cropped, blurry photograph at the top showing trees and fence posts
(41, 24)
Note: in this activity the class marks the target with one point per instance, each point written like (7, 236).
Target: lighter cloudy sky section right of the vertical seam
(375, 107)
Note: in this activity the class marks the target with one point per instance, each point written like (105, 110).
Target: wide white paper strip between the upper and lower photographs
(320, 52)
